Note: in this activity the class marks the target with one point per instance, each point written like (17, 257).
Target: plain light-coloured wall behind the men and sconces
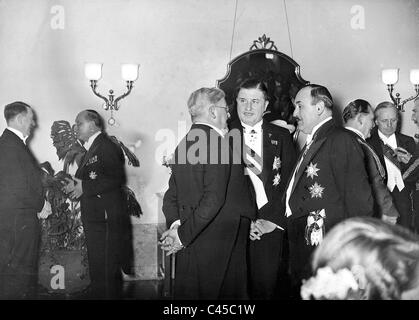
(183, 45)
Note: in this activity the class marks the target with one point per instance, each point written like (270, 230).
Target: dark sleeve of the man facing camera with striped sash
(274, 210)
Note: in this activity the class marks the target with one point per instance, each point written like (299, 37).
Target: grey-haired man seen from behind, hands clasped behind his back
(208, 206)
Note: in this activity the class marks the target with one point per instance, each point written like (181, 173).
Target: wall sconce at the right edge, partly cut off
(390, 78)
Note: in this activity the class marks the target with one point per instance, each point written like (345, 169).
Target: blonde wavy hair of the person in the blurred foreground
(387, 254)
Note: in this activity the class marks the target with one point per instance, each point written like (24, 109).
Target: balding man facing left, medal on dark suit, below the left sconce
(98, 184)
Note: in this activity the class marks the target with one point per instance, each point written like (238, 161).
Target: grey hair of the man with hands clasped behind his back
(201, 98)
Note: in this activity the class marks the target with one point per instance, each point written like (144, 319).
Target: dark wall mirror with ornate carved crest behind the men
(279, 72)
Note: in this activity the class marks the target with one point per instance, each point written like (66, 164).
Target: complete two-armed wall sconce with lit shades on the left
(129, 73)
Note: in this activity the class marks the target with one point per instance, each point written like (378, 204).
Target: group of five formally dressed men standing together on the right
(246, 227)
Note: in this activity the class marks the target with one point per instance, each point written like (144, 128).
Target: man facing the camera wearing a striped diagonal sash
(269, 155)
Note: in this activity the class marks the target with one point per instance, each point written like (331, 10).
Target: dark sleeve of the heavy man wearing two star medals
(348, 165)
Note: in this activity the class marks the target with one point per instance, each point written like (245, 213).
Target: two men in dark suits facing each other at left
(97, 184)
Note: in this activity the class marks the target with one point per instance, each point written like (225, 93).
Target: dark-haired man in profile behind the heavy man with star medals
(358, 117)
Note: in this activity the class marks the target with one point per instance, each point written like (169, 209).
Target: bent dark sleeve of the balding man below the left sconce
(112, 172)
